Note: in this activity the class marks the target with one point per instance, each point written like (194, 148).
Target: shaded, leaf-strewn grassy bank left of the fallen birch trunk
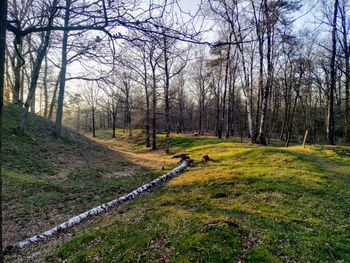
(46, 180)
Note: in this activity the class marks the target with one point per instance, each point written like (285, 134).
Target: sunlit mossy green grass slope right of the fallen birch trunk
(254, 204)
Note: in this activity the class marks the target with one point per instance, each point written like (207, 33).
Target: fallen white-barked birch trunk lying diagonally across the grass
(97, 210)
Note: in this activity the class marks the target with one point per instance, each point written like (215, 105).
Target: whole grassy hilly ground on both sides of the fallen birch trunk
(249, 204)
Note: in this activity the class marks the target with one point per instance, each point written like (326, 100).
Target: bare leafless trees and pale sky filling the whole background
(263, 78)
